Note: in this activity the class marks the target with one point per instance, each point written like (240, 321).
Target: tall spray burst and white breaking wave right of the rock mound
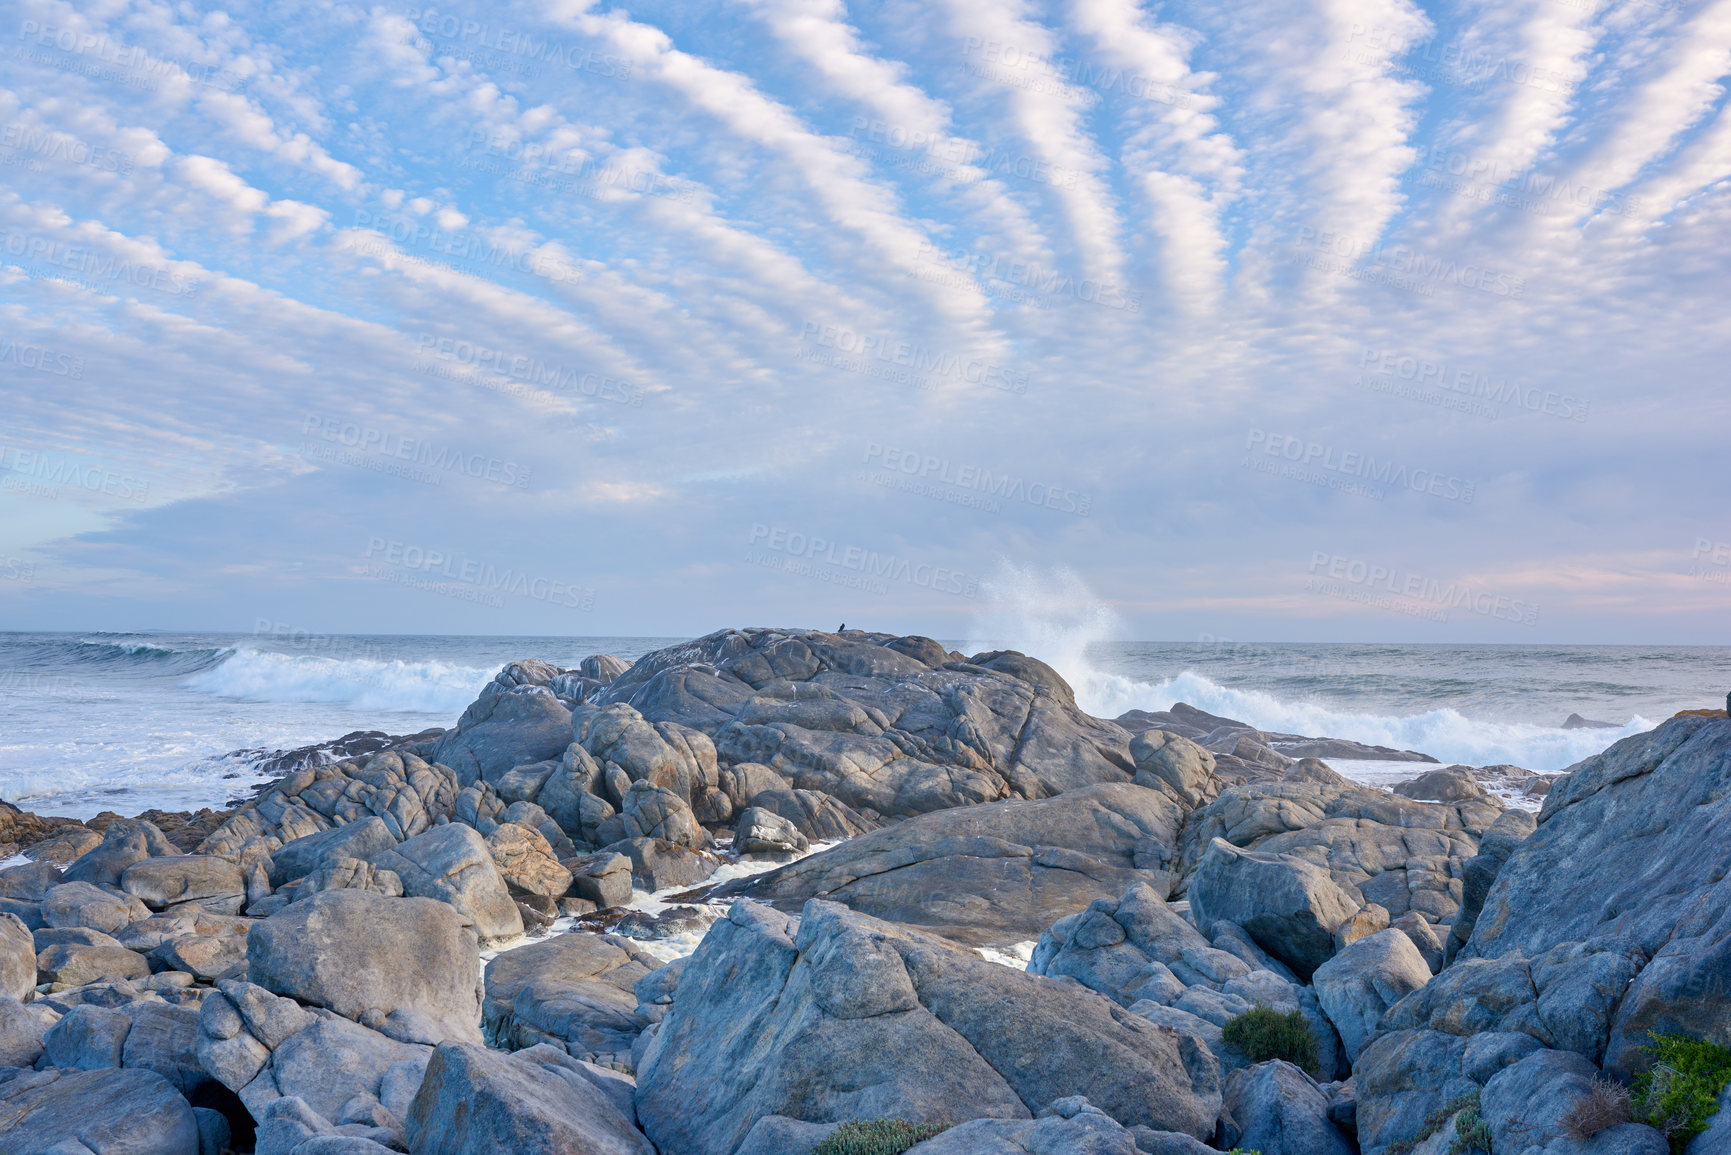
(1057, 619)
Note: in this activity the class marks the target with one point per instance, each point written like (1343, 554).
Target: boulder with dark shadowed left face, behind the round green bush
(1292, 908)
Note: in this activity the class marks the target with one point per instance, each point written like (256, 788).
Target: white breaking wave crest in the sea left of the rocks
(359, 683)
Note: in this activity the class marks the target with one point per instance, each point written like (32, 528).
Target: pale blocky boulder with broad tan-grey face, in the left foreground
(364, 955)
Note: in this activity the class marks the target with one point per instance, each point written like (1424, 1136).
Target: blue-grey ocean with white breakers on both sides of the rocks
(134, 721)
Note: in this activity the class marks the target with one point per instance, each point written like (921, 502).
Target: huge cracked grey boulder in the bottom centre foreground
(840, 1016)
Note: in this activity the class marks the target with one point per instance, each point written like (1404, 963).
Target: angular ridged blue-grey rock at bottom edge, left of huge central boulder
(477, 1102)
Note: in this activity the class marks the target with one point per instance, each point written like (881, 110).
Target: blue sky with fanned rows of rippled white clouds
(1278, 319)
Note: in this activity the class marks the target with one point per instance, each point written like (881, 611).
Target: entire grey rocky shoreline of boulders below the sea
(447, 943)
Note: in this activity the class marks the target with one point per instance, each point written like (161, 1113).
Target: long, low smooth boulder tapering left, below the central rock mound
(991, 875)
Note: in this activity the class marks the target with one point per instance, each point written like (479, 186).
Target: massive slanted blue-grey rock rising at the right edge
(1633, 858)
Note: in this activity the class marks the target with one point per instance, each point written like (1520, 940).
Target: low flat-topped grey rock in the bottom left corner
(105, 1111)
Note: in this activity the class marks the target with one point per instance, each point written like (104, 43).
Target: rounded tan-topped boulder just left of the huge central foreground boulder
(576, 991)
